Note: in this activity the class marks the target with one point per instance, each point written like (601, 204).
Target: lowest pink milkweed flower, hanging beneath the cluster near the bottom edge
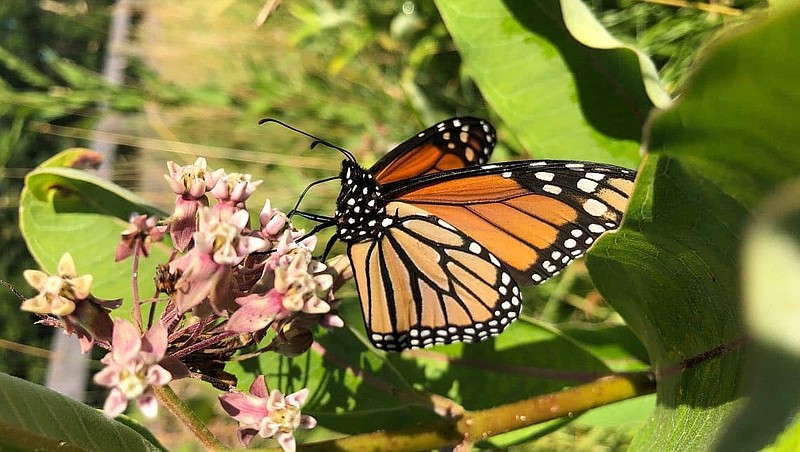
(268, 414)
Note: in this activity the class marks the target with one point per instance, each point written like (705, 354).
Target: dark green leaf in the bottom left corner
(37, 416)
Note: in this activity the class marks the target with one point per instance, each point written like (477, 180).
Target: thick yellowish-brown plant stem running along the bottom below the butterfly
(479, 425)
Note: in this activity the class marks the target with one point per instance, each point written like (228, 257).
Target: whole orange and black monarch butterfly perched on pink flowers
(439, 240)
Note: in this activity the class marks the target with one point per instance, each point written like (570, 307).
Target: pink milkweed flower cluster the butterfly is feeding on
(230, 290)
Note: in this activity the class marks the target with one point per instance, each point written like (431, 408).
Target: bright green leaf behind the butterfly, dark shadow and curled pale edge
(559, 81)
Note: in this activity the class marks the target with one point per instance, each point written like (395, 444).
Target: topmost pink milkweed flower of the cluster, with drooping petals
(190, 183)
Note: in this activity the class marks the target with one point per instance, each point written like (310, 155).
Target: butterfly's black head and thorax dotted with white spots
(360, 207)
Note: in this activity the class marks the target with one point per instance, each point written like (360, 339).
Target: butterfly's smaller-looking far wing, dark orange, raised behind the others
(451, 144)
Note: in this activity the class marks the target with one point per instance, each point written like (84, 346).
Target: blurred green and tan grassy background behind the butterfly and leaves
(198, 77)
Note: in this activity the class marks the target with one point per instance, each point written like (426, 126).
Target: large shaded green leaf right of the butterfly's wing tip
(672, 269)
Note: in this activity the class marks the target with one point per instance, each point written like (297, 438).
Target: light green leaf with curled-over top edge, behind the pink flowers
(69, 210)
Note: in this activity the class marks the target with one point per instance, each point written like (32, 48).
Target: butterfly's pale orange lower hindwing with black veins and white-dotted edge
(423, 282)
